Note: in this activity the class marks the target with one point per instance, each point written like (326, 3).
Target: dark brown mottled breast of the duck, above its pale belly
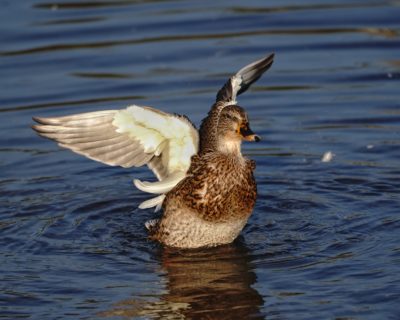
(217, 187)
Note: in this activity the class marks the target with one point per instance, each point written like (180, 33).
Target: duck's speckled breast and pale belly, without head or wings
(211, 205)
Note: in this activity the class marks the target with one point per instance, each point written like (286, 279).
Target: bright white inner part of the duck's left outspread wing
(173, 137)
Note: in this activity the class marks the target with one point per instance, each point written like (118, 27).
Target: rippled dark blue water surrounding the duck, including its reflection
(324, 239)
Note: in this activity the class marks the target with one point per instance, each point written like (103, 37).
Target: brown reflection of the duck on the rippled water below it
(203, 284)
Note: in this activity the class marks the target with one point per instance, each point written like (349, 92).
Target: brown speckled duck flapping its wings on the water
(205, 186)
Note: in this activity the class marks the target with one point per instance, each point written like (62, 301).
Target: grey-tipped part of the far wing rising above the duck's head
(243, 79)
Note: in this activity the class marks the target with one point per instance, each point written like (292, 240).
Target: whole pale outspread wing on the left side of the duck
(134, 136)
